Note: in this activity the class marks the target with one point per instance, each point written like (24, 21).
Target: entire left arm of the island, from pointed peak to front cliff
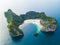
(13, 23)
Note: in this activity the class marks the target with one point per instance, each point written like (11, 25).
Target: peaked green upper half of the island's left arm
(12, 17)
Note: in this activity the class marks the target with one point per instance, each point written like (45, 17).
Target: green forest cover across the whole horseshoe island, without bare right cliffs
(15, 20)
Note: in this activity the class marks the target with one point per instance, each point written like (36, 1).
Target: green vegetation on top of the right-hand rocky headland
(45, 18)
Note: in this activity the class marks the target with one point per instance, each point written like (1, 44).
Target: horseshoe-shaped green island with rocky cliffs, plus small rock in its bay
(47, 24)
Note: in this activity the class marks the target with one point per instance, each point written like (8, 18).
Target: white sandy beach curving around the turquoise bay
(34, 21)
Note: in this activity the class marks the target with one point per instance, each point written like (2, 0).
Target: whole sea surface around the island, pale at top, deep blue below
(50, 7)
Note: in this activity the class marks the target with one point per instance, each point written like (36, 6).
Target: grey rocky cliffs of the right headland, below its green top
(50, 27)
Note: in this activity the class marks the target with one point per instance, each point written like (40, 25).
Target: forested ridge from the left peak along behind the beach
(18, 20)
